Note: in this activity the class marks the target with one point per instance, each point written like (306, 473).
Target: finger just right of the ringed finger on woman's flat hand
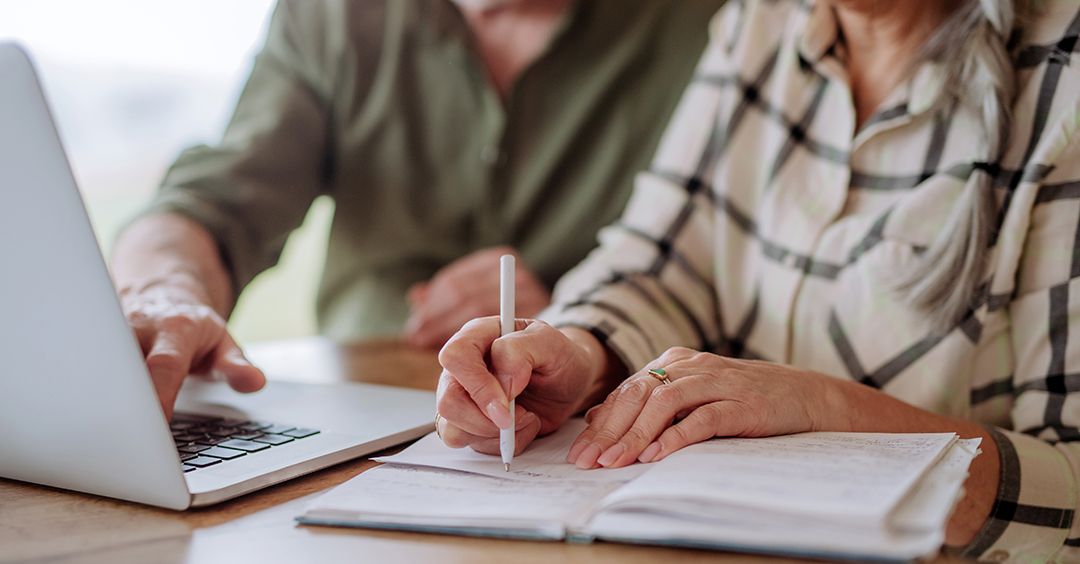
(663, 408)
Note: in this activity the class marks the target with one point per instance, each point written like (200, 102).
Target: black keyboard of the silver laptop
(205, 441)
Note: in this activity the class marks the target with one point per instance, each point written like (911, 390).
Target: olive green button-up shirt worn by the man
(386, 108)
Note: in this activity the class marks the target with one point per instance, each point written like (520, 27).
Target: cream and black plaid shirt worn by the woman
(771, 227)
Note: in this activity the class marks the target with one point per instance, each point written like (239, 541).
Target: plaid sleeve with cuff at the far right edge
(1034, 518)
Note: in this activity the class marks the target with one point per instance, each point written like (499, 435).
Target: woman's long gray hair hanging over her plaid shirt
(973, 48)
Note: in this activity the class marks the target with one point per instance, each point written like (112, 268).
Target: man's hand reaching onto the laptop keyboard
(182, 335)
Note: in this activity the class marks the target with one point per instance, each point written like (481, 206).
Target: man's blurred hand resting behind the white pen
(465, 290)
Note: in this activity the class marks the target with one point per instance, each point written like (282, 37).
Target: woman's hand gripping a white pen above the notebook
(552, 377)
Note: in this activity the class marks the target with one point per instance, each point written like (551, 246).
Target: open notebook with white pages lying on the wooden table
(832, 495)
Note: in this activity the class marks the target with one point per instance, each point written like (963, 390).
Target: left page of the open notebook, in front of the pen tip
(400, 496)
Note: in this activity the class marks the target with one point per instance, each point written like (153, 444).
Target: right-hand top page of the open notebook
(853, 477)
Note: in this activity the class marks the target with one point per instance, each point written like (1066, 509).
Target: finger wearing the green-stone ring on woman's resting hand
(626, 405)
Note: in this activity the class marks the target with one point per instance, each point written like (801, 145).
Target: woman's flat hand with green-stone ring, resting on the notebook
(709, 396)
